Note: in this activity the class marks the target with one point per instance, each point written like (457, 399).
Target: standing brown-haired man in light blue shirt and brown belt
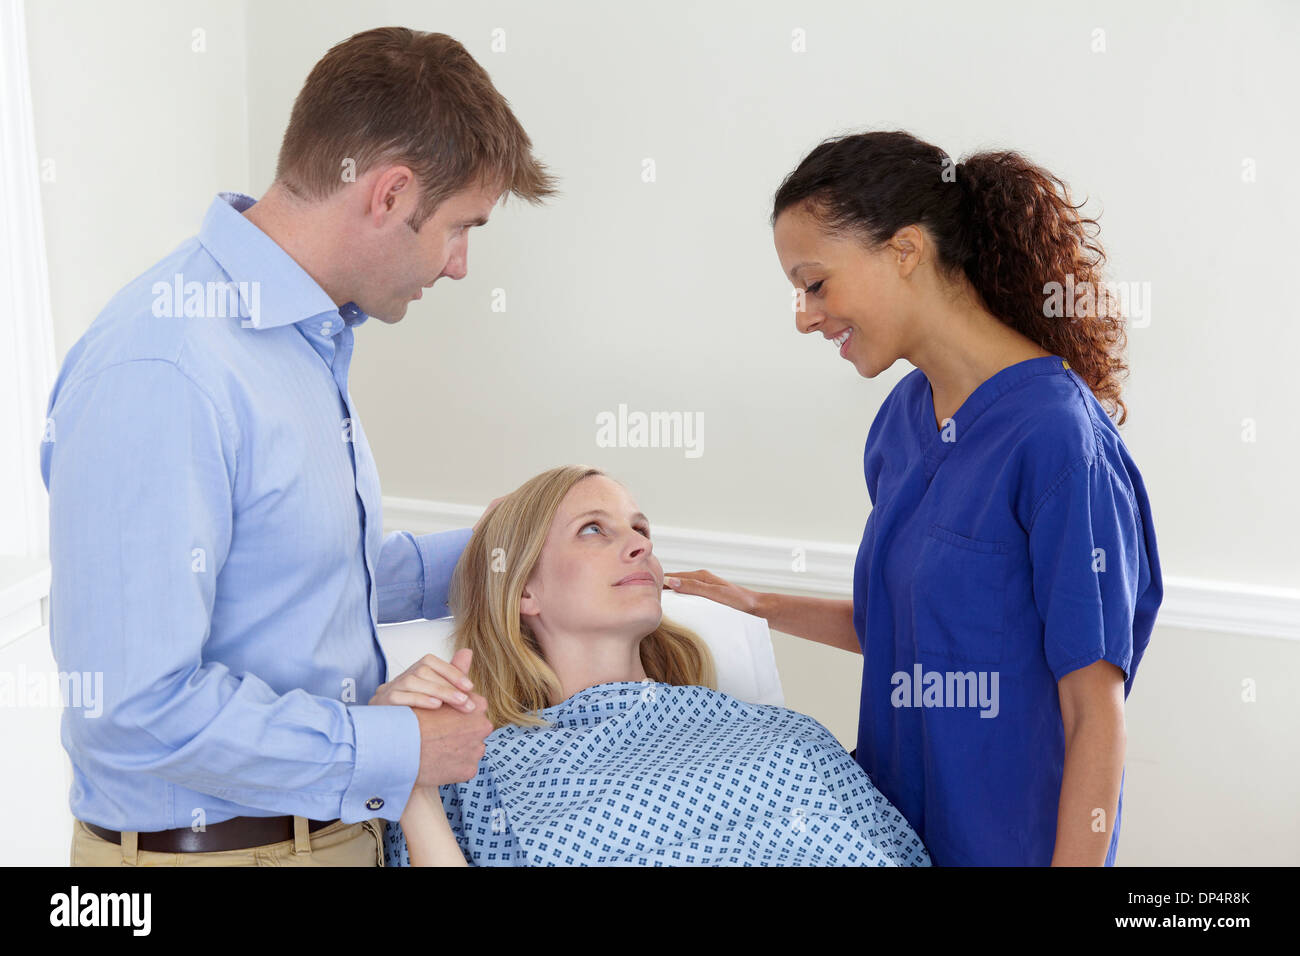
(216, 539)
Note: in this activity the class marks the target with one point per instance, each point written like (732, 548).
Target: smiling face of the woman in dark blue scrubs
(848, 291)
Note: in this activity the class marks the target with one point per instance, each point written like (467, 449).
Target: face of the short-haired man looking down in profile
(402, 262)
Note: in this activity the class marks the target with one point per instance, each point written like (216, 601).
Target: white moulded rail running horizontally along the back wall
(770, 564)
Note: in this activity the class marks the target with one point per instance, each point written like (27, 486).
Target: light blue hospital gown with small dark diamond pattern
(651, 775)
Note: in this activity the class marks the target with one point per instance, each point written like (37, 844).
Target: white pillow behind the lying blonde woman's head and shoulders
(740, 643)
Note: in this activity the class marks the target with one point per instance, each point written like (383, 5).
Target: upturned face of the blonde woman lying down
(575, 592)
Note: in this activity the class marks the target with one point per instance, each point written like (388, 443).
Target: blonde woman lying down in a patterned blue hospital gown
(612, 747)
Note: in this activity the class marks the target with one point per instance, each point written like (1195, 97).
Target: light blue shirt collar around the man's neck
(274, 289)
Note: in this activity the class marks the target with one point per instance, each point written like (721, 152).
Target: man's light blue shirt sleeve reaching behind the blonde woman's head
(414, 574)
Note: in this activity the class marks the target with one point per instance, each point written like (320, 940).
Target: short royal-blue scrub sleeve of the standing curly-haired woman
(1086, 542)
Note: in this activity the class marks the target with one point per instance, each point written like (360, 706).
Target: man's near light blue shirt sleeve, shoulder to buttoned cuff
(141, 513)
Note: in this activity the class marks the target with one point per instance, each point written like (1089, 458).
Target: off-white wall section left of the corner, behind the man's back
(142, 133)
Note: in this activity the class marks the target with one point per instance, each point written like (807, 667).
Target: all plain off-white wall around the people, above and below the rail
(669, 296)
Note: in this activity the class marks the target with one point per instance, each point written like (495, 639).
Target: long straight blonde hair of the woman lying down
(509, 668)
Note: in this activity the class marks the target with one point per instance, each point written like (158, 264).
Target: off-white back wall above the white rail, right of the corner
(670, 296)
